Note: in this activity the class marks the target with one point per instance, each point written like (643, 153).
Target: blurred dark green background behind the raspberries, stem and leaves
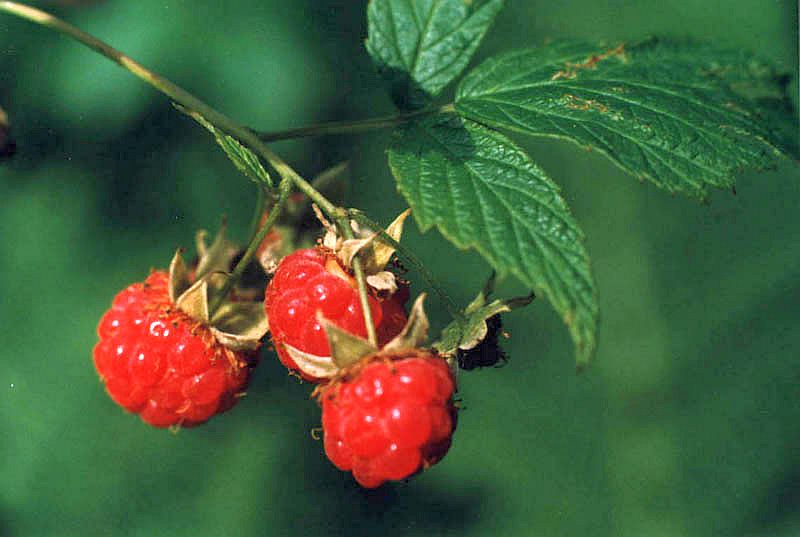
(687, 424)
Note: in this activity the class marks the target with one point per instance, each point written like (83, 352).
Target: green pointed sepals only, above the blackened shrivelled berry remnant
(467, 332)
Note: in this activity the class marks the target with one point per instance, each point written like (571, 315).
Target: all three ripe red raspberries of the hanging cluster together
(384, 418)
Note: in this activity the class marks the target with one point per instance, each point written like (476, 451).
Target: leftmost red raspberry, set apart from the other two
(158, 362)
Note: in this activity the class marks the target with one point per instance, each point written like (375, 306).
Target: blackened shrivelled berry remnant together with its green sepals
(473, 333)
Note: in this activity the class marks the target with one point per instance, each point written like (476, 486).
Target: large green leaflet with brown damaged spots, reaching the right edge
(683, 116)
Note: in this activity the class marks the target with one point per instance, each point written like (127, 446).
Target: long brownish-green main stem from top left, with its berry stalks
(216, 118)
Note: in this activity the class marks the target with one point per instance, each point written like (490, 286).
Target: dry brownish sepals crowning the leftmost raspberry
(237, 324)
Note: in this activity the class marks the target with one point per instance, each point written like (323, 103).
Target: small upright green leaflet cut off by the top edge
(420, 46)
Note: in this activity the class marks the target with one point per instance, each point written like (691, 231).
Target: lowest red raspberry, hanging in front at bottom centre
(390, 417)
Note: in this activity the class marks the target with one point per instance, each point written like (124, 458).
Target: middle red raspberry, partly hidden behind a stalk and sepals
(308, 281)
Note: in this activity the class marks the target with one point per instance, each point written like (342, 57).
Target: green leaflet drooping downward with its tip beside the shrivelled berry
(483, 192)
